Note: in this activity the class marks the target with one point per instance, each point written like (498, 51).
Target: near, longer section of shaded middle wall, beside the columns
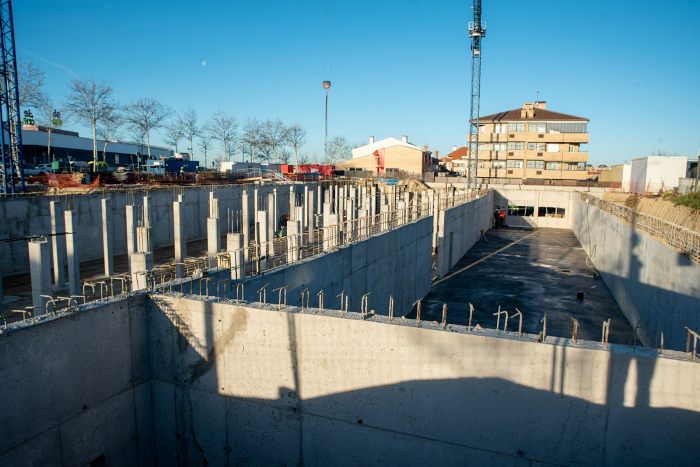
(393, 263)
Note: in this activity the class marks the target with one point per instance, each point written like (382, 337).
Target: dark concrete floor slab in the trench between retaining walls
(536, 271)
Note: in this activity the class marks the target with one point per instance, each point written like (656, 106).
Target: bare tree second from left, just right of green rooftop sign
(92, 104)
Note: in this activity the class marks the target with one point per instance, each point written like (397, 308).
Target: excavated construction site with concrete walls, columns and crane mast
(344, 320)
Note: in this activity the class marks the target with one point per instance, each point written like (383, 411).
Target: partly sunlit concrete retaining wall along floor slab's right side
(655, 286)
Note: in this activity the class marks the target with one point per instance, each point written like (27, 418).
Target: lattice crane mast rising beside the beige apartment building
(476, 33)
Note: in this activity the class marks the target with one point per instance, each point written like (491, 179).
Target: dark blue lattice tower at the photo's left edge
(11, 149)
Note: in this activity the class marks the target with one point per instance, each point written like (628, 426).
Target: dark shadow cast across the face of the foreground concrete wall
(416, 422)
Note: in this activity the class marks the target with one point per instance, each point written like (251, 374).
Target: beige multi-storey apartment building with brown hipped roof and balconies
(532, 143)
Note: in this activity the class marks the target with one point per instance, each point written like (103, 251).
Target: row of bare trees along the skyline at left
(94, 105)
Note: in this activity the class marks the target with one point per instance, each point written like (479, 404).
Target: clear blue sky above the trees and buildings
(398, 67)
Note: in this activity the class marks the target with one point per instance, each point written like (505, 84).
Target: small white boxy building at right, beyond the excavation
(656, 173)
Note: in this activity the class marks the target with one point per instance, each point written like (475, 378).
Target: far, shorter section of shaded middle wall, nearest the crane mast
(459, 228)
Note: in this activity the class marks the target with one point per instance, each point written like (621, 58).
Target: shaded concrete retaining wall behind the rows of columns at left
(29, 215)
